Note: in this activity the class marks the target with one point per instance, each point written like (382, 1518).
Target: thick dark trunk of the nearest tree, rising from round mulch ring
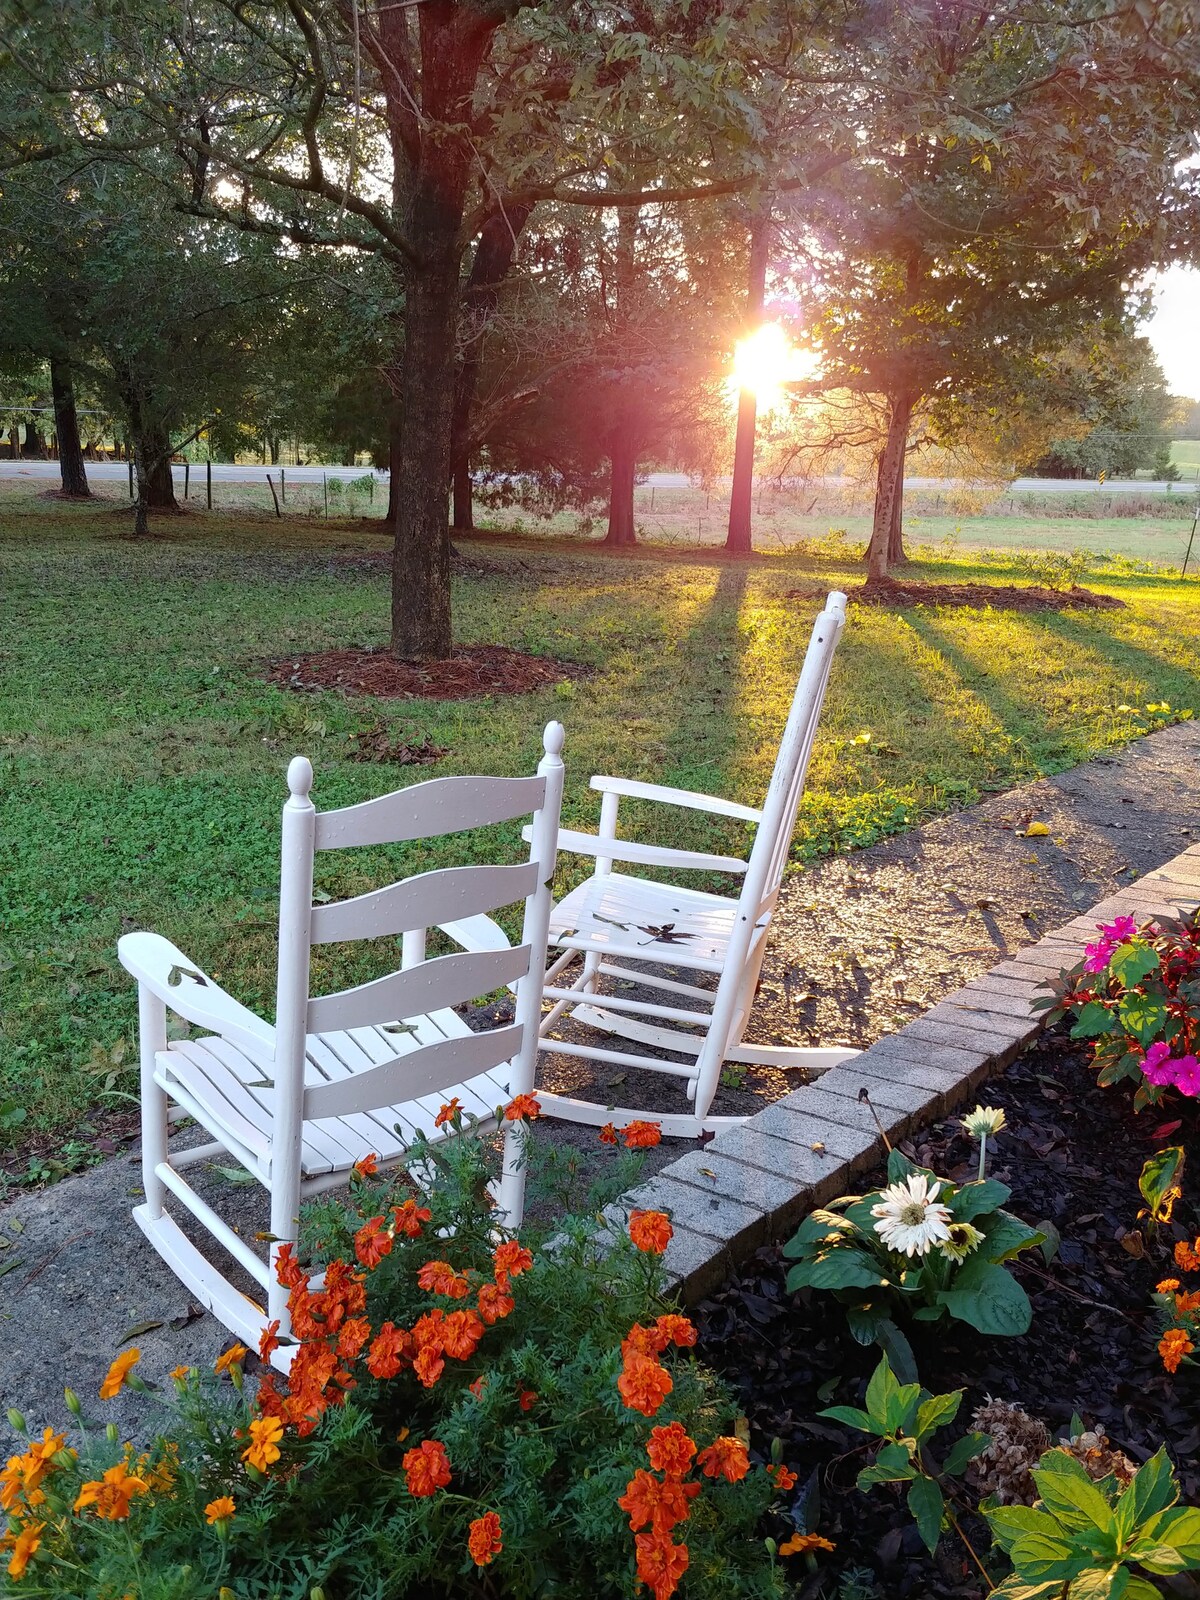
(422, 558)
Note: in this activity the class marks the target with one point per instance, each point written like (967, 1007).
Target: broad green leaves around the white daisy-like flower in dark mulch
(841, 1250)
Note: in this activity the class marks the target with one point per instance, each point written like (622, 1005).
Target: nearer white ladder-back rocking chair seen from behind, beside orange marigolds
(361, 1071)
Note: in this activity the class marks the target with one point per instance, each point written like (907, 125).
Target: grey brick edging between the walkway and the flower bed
(756, 1182)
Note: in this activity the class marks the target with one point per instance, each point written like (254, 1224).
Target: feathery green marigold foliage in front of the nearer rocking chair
(543, 1439)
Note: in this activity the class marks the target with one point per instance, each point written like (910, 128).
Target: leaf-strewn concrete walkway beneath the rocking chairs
(866, 943)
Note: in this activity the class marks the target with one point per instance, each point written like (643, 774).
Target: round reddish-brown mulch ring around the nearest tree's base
(471, 673)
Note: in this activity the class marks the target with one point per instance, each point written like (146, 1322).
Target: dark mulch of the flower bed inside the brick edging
(1071, 1156)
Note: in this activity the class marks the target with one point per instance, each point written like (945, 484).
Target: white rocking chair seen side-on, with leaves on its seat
(615, 918)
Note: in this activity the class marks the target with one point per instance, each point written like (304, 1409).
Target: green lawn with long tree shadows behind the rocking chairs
(142, 756)
